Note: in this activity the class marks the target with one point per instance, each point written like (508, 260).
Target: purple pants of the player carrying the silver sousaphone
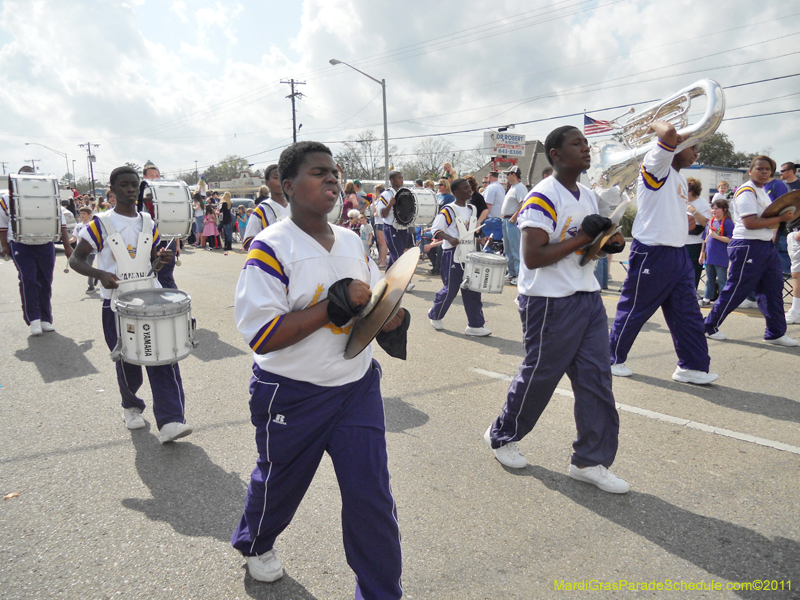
(660, 277)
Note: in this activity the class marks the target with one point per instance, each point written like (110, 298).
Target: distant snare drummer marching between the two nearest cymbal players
(446, 227)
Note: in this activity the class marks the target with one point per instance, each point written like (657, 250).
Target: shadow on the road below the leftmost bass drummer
(57, 357)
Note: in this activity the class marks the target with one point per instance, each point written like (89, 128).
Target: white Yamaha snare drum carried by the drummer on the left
(154, 327)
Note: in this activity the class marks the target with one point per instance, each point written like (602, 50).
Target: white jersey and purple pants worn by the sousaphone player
(660, 273)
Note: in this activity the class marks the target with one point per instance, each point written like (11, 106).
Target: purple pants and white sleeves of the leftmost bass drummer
(35, 262)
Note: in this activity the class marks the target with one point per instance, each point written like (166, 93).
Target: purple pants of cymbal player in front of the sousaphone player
(564, 336)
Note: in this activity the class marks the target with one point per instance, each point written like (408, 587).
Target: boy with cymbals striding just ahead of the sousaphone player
(563, 318)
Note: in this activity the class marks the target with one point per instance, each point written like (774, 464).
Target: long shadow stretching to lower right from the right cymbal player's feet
(724, 550)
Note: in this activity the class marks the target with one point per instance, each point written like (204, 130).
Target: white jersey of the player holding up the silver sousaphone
(661, 197)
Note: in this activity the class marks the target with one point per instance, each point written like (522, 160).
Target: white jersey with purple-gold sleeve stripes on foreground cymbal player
(287, 271)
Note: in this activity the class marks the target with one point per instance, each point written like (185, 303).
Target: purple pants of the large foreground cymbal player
(296, 422)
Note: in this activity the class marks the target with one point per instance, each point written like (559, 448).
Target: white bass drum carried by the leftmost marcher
(34, 208)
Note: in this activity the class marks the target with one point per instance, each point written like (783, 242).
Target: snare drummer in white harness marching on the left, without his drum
(165, 380)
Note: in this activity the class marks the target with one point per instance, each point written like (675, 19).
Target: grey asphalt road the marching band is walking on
(103, 512)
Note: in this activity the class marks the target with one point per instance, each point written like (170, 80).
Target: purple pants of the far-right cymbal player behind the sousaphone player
(755, 266)
